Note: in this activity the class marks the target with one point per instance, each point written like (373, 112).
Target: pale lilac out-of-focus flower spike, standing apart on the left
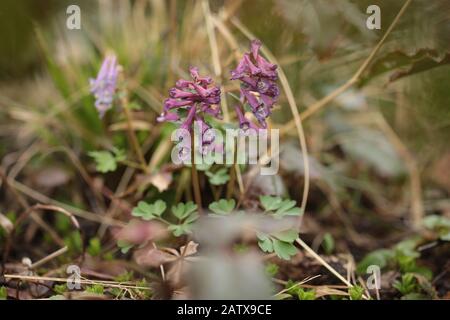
(104, 86)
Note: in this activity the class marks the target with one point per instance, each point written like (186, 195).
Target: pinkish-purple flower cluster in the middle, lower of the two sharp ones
(197, 97)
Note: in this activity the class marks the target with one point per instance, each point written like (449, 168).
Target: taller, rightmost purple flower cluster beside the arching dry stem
(258, 83)
